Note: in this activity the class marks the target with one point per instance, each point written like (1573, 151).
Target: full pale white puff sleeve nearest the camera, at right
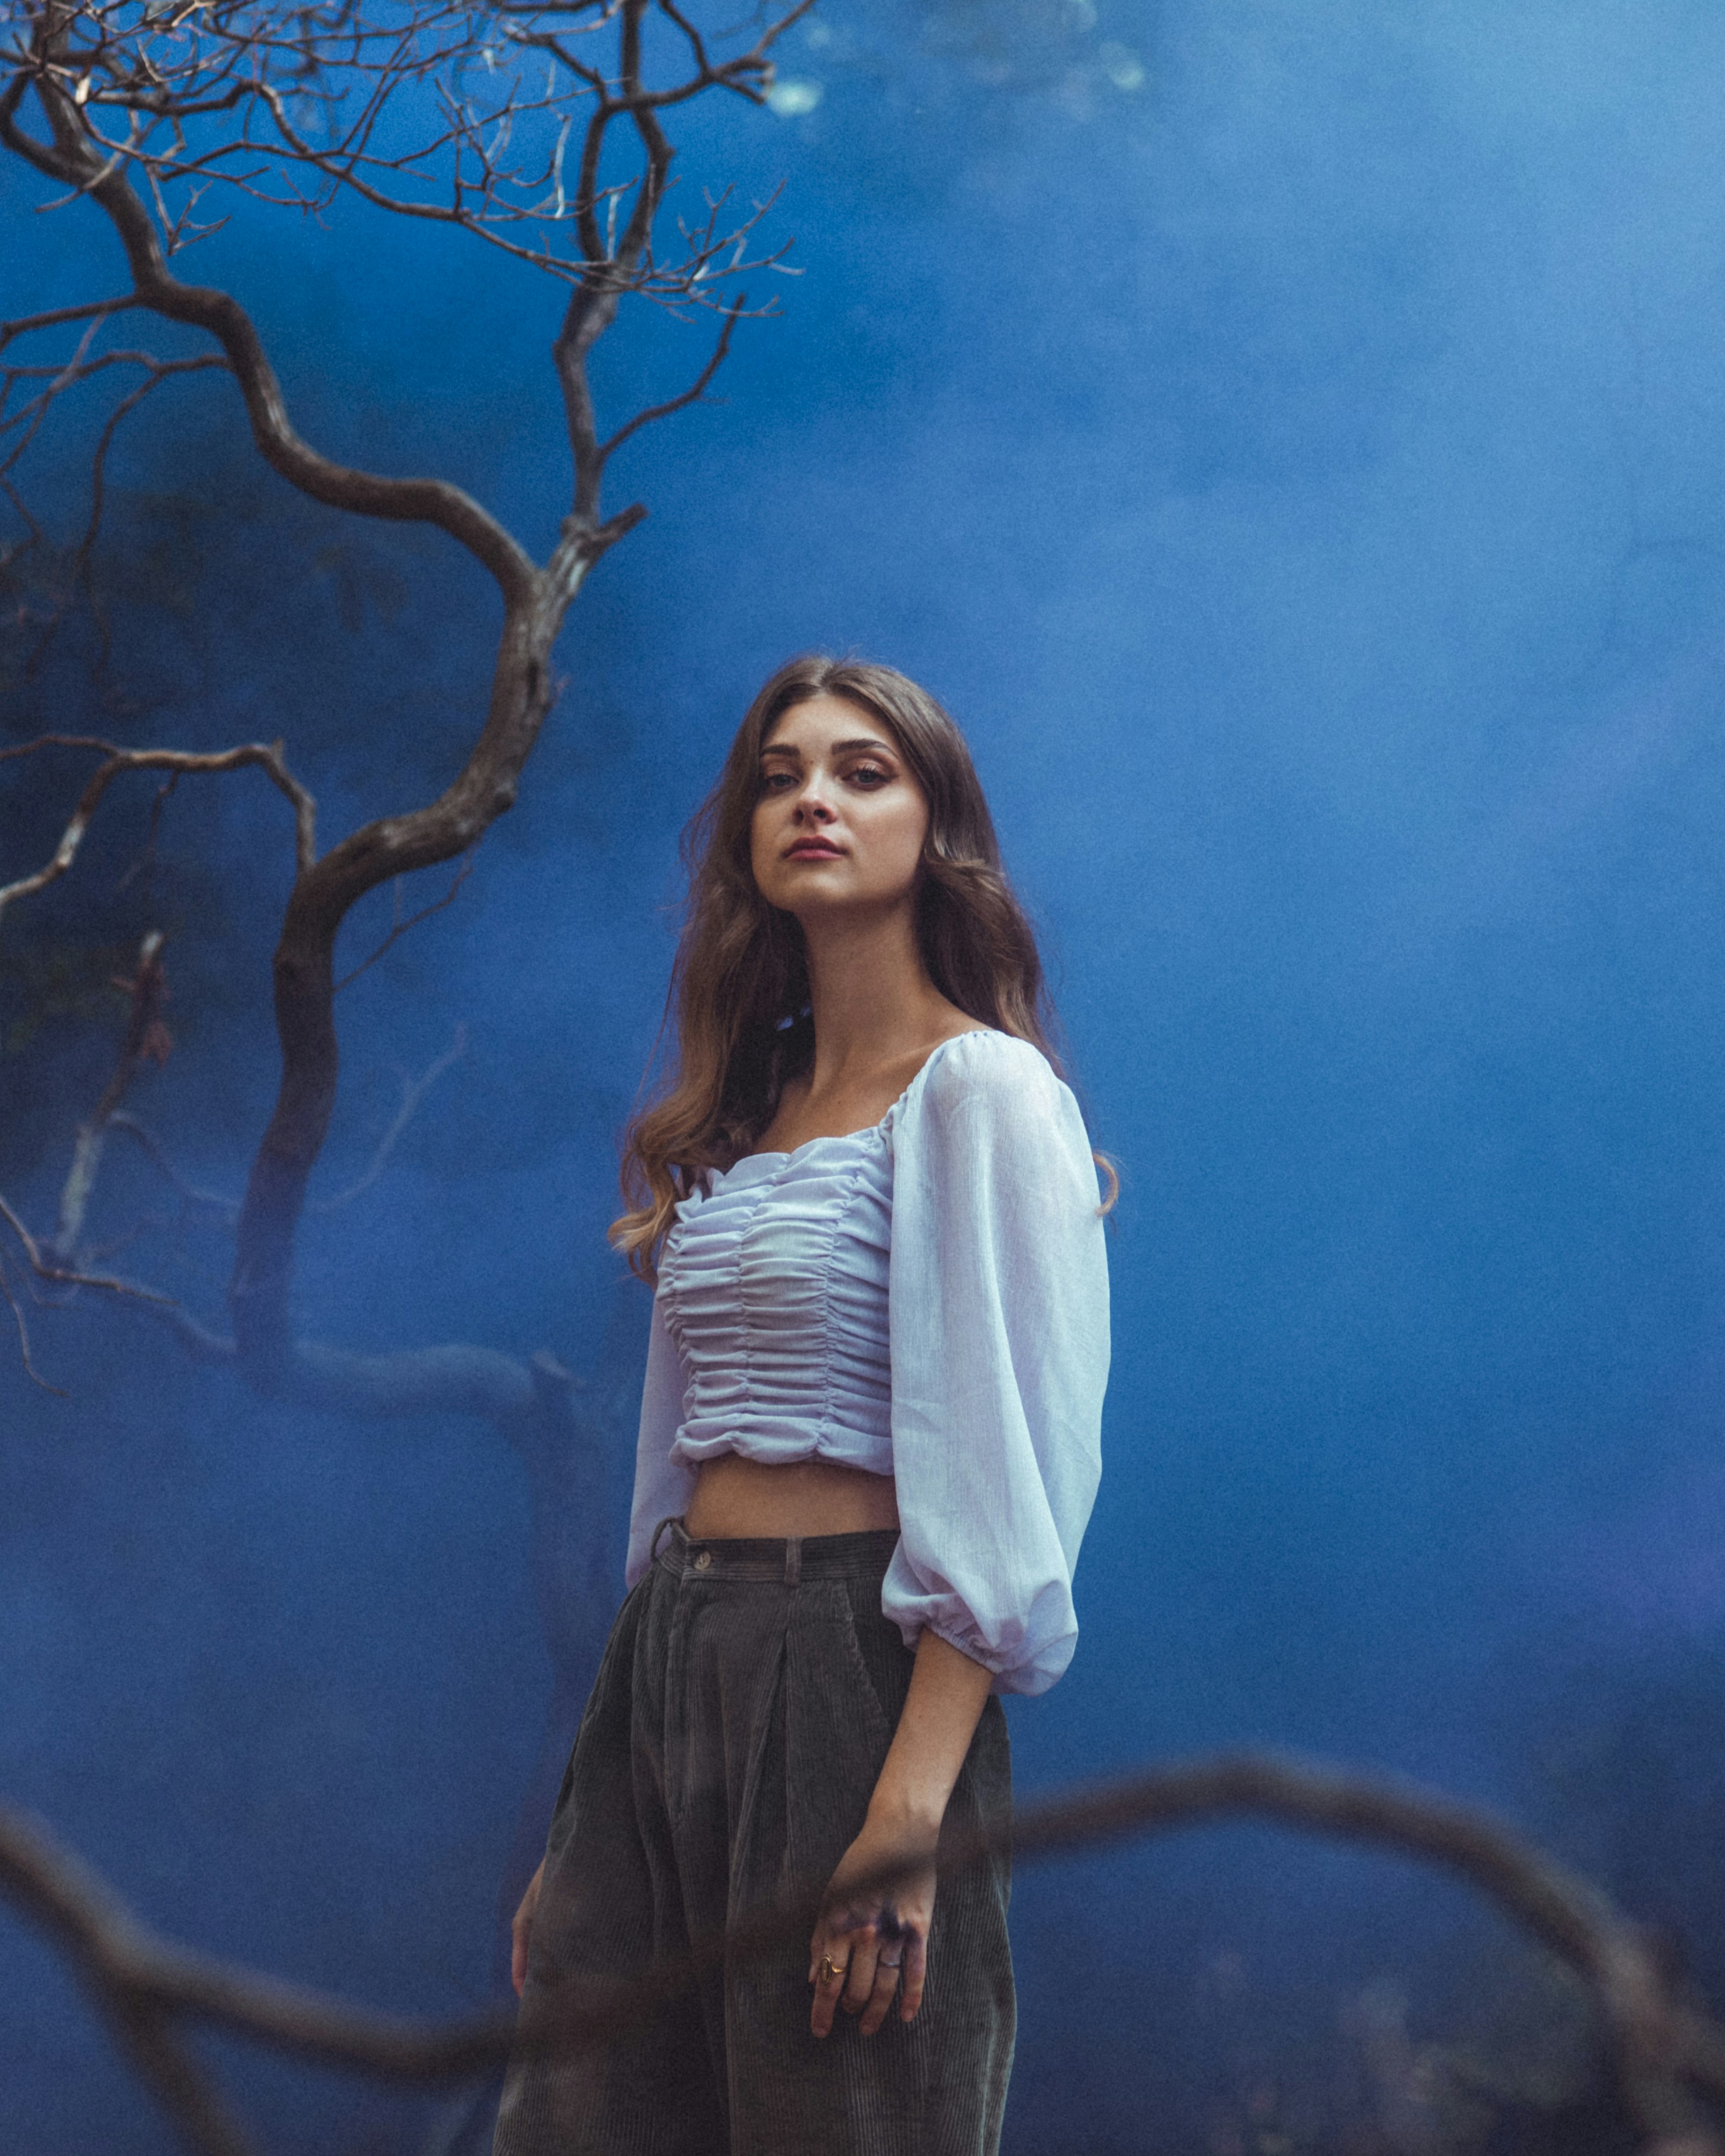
(999, 1338)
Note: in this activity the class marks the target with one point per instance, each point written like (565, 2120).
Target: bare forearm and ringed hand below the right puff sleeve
(879, 1939)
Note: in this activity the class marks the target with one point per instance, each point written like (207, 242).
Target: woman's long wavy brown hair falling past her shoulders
(741, 982)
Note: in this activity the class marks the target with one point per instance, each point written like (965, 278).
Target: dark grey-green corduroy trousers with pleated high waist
(728, 1754)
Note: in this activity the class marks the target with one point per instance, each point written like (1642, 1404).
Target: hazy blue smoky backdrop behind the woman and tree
(1291, 439)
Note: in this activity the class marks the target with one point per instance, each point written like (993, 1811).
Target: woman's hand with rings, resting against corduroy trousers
(874, 1941)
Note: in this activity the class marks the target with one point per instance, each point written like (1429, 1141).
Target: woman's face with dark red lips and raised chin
(840, 818)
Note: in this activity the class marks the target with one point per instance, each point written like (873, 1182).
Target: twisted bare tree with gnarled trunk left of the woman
(536, 128)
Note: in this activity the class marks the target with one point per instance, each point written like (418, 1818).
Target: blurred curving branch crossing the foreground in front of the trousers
(1668, 2058)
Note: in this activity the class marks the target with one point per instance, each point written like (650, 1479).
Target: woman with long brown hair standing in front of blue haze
(868, 1454)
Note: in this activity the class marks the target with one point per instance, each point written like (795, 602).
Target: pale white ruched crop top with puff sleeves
(930, 1301)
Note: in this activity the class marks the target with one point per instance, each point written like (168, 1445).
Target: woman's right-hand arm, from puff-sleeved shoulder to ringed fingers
(999, 1340)
